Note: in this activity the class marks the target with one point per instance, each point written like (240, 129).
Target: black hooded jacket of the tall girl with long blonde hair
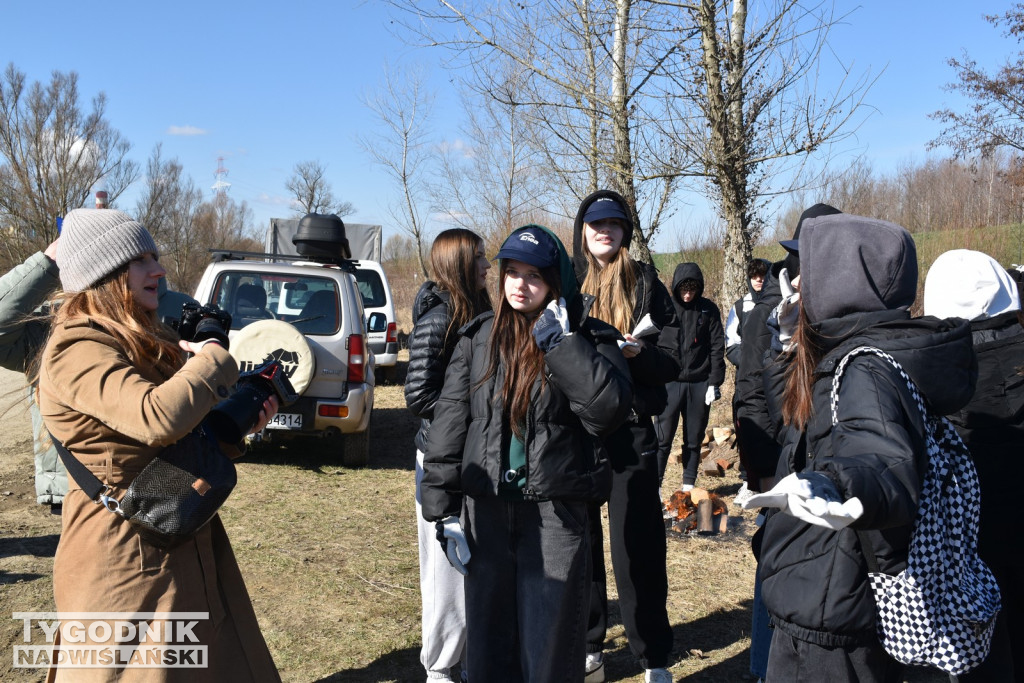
(658, 363)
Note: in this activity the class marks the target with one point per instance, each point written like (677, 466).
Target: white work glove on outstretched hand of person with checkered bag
(812, 497)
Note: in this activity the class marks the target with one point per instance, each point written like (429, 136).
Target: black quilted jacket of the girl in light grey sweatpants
(429, 356)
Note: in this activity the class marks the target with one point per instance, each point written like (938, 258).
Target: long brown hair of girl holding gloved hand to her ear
(514, 348)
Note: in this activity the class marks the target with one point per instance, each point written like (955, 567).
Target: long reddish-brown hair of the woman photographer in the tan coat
(111, 306)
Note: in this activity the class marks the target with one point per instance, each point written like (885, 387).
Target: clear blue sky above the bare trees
(267, 86)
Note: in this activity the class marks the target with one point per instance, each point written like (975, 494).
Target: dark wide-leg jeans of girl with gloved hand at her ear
(527, 591)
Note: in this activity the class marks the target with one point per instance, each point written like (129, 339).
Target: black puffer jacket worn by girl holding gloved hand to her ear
(587, 397)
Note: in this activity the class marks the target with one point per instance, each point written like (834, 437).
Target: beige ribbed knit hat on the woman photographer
(95, 243)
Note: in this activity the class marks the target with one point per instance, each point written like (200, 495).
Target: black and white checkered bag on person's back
(942, 610)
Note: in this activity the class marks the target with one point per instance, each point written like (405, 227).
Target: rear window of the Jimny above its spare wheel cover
(309, 303)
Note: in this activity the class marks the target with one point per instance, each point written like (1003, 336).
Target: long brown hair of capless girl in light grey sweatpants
(453, 260)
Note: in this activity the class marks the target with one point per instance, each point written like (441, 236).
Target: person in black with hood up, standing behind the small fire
(702, 371)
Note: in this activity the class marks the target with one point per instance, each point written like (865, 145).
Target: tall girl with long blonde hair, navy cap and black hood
(626, 292)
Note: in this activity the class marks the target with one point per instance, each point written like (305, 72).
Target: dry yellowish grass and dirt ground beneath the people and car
(330, 560)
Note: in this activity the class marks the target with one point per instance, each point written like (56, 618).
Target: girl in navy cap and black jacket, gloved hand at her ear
(529, 396)
